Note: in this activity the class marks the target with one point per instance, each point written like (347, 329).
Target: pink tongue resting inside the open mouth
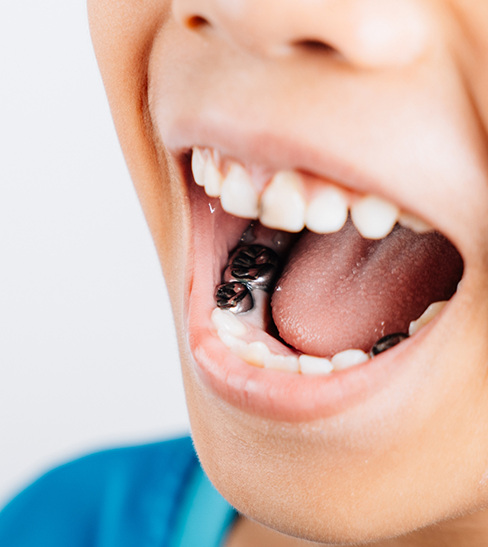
(341, 291)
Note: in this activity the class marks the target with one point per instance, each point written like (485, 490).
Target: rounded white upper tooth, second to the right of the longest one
(374, 217)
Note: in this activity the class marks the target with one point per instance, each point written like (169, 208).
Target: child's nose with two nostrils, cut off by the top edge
(370, 34)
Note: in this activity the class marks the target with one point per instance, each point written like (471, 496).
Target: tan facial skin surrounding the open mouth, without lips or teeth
(408, 466)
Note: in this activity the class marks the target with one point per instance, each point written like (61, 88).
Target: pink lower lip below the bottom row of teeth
(284, 396)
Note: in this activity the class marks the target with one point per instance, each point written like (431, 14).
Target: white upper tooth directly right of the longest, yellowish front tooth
(327, 212)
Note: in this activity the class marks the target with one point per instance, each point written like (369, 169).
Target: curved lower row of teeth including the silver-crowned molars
(254, 267)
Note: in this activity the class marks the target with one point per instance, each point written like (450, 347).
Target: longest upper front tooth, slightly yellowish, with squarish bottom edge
(283, 204)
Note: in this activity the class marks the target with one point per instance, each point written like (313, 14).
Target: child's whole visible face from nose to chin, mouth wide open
(387, 98)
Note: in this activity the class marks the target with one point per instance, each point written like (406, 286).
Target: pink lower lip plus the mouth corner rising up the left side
(271, 394)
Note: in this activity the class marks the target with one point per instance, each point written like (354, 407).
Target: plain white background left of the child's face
(88, 357)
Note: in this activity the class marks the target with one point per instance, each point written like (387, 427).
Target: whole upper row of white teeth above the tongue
(288, 204)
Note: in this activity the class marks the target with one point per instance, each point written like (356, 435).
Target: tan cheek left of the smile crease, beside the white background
(123, 35)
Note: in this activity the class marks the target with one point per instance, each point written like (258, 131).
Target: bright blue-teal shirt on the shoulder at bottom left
(154, 495)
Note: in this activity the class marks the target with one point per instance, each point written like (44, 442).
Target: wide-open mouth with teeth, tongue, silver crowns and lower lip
(302, 278)
